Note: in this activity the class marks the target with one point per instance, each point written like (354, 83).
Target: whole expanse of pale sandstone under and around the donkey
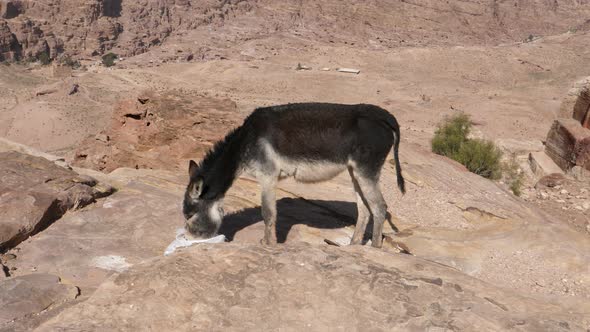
(448, 216)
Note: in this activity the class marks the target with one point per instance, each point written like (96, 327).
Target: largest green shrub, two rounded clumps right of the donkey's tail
(479, 156)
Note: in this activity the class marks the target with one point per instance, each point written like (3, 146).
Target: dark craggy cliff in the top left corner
(92, 27)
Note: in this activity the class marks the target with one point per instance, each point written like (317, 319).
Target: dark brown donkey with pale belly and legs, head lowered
(310, 142)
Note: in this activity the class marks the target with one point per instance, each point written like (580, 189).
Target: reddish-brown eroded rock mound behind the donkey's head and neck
(159, 131)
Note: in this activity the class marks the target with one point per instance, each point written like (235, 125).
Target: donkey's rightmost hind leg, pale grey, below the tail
(372, 194)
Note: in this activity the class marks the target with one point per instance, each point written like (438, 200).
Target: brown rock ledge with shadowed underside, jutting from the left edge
(35, 192)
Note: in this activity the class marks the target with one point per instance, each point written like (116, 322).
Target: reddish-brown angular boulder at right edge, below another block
(568, 144)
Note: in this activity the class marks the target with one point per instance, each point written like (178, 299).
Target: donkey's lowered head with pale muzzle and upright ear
(203, 216)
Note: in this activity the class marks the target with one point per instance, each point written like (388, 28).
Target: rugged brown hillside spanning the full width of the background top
(92, 27)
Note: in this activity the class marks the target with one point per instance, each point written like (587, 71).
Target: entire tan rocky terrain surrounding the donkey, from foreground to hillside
(92, 177)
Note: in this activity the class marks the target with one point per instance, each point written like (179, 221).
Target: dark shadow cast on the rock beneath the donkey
(293, 211)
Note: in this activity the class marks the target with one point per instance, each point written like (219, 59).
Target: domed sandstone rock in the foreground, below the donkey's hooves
(301, 287)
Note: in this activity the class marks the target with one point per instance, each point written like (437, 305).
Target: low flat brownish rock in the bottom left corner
(31, 294)
